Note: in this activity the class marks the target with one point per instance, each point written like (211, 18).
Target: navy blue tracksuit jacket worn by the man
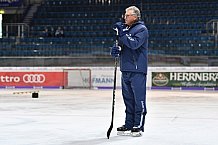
(134, 49)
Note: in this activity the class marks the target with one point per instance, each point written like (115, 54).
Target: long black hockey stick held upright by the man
(114, 88)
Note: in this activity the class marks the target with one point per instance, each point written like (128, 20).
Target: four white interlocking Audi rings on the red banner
(34, 78)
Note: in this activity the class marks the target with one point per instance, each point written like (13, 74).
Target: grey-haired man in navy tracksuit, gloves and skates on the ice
(132, 50)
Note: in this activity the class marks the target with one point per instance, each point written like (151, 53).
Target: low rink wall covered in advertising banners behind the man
(182, 78)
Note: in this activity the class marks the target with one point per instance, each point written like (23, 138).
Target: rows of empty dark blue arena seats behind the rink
(175, 28)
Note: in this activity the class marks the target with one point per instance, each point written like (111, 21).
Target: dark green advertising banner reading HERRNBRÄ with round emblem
(185, 79)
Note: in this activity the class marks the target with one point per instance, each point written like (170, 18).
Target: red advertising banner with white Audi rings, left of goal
(25, 79)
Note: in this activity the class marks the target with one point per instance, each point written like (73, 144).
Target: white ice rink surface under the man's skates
(82, 117)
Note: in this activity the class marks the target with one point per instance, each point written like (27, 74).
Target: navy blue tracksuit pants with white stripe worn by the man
(134, 96)
